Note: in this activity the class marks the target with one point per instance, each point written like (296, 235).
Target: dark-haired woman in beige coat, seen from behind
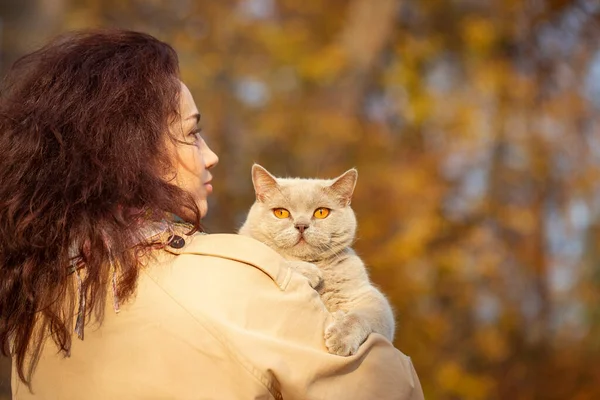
(100, 153)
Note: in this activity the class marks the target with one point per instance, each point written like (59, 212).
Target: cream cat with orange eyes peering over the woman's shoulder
(310, 223)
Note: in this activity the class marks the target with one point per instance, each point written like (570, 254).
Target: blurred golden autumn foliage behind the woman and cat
(474, 127)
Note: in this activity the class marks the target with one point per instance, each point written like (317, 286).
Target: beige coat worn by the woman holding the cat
(220, 318)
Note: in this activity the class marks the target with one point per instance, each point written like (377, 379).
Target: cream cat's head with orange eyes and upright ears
(309, 219)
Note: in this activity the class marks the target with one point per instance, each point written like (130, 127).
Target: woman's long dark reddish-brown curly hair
(83, 126)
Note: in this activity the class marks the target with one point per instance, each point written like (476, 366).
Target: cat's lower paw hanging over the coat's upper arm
(344, 334)
